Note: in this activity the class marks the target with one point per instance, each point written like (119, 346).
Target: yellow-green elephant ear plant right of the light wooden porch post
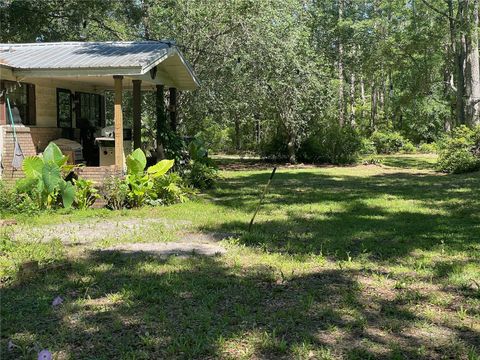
(140, 181)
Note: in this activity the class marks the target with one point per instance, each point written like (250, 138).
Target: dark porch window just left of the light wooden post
(90, 110)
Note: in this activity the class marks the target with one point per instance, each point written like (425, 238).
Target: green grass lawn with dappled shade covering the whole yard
(359, 262)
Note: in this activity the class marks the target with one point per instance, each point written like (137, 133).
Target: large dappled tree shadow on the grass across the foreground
(122, 306)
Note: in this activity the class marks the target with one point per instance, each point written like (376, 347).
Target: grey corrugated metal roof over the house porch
(96, 59)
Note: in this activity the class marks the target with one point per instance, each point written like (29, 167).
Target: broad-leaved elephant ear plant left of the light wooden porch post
(44, 181)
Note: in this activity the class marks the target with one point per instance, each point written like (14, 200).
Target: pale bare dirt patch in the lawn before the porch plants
(142, 236)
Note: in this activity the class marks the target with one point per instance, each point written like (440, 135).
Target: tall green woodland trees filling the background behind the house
(277, 70)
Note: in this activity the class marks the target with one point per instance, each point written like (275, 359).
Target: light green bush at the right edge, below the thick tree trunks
(460, 152)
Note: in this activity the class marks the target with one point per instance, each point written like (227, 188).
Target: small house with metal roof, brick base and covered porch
(57, 91)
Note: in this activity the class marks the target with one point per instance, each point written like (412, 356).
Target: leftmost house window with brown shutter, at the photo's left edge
(22, 101)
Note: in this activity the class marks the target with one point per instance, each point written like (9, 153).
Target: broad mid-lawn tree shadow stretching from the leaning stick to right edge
(387, 215)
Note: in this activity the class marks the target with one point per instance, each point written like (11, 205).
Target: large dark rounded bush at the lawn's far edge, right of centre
(331, 144)
